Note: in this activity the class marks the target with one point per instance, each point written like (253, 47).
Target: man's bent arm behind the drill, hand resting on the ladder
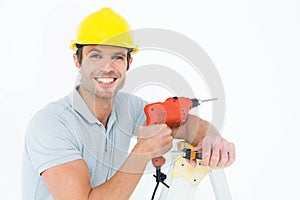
(216, 151)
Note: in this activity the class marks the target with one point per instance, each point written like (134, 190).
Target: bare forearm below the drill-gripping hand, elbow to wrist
(125, 180)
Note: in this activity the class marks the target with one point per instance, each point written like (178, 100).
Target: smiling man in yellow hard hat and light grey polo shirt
(76, 147)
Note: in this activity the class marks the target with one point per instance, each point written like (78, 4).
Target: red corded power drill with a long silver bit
(173, 112)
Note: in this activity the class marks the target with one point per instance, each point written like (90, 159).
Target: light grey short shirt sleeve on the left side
(48, 142)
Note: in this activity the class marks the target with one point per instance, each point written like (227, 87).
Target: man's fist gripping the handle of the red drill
(153, 140)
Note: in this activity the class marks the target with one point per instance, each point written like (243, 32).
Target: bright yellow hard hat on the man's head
(104, 27)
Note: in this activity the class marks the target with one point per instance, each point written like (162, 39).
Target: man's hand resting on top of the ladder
(216, 151)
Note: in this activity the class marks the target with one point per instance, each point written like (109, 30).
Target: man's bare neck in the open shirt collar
(100, 107)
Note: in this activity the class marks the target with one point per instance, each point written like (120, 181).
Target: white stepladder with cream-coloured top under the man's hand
(183, 177)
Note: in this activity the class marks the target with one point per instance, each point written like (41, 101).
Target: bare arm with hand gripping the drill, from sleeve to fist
(72, 180)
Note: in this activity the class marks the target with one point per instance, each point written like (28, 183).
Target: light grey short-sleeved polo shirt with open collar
(67, 130)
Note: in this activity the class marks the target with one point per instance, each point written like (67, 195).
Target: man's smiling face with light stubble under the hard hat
(103, 70)
